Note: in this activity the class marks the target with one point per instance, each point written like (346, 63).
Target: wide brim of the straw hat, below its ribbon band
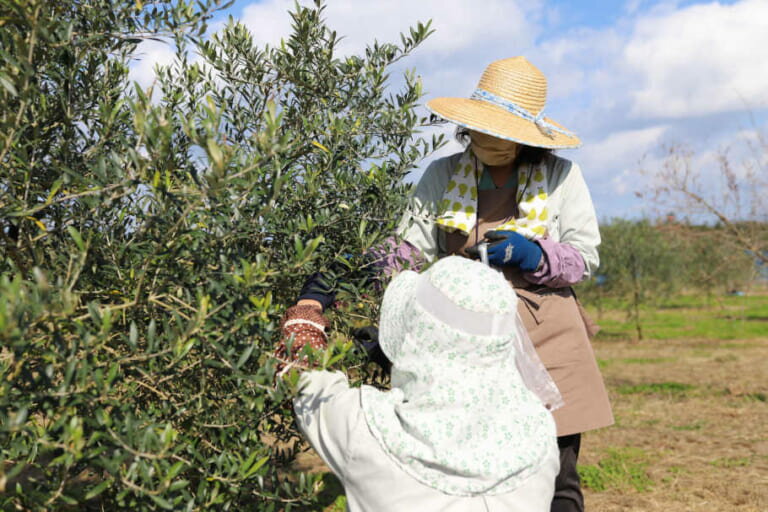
(487, 118)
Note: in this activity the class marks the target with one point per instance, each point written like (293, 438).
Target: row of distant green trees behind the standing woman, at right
(644, 262)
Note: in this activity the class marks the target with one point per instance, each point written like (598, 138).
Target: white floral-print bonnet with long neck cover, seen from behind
(459, 417)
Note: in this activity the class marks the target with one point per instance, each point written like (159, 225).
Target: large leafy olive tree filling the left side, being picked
(151, 239)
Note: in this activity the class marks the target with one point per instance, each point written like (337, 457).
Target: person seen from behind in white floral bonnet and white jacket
(433, 441)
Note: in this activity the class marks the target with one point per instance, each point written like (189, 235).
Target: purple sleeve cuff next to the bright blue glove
(562, 265)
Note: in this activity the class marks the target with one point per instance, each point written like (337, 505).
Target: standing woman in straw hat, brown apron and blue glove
(534, 211)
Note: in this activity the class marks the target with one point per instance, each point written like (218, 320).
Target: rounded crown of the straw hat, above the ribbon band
(516, 80)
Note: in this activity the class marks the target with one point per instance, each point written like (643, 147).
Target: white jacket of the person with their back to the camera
(330, 415)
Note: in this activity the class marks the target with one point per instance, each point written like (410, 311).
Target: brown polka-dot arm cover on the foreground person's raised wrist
(307, 325)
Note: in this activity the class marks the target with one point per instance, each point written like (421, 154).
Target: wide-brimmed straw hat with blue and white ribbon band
(509, 104)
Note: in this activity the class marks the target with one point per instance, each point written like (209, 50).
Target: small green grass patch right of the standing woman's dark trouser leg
(620, 468)
